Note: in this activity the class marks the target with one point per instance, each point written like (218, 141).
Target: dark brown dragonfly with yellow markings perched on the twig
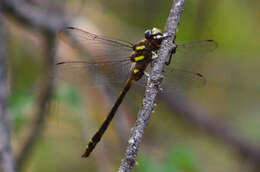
(106, 51)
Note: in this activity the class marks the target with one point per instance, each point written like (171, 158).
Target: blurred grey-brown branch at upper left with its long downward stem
(48, 22)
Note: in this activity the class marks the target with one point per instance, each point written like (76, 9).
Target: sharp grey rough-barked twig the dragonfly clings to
(152, 88)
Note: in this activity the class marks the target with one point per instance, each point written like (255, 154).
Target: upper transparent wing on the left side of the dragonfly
(95, 47)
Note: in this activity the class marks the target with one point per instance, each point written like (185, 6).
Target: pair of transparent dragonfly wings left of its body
(96, 55)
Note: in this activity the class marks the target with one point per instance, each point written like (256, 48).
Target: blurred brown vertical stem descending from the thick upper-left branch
(43, 99)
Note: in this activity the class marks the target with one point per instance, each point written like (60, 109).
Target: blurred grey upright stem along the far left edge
(7, 159)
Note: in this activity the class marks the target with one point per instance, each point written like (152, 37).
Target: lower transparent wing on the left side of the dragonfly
(91, 73)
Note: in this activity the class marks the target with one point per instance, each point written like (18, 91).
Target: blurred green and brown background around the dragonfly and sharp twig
(173, 141)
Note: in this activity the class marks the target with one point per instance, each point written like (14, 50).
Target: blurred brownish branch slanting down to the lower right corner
(204, 120)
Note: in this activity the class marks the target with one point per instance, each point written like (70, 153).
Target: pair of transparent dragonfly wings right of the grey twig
(182, 71)
